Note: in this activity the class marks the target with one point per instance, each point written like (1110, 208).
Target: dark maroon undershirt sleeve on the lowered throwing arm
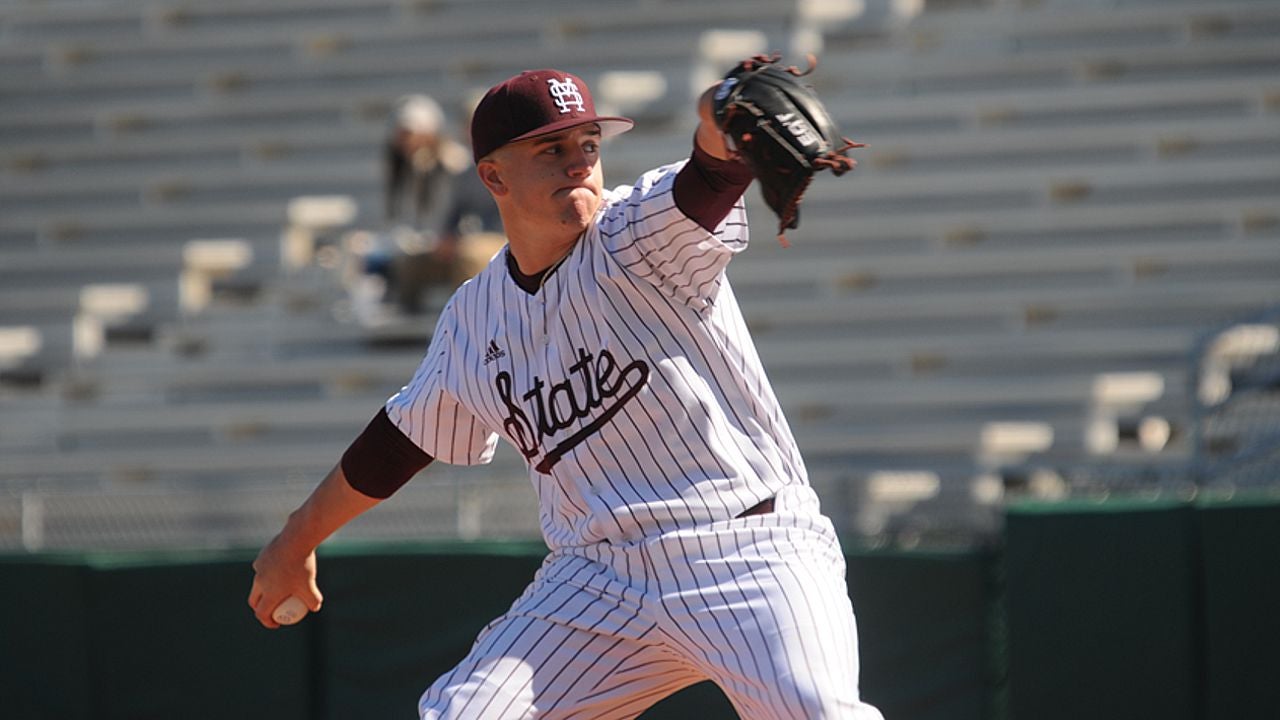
(382, 459)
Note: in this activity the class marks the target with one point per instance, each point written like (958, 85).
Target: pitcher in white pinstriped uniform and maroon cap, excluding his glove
(606, 345)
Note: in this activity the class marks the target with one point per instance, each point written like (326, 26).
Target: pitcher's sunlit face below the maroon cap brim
(556, 180)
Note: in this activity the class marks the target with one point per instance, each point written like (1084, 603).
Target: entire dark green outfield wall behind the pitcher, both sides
(1089, 610)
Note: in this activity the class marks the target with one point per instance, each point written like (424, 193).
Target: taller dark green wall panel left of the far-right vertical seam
(1103, 612)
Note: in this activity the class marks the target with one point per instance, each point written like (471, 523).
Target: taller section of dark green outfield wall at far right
(1133, 610)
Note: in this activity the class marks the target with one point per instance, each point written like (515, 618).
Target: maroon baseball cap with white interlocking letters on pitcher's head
(532, 104)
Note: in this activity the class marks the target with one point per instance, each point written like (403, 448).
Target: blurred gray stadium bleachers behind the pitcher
(1062, 212)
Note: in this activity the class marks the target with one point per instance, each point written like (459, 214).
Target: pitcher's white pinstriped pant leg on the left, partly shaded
(577, 645)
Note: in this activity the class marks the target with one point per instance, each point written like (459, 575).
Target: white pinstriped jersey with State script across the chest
(629, 381)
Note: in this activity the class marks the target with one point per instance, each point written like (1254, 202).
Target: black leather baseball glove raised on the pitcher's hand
(781, 130)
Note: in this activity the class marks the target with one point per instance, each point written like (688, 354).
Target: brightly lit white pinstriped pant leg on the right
(762, 608)
